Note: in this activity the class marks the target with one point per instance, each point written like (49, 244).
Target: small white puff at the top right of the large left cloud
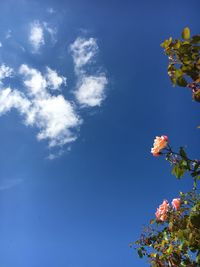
(54, 81)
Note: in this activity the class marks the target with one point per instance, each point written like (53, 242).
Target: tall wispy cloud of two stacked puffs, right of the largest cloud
(90, 90)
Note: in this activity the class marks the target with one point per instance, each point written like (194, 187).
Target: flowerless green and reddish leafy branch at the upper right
(184, 61)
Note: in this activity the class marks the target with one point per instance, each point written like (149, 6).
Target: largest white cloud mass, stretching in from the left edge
(54, 116)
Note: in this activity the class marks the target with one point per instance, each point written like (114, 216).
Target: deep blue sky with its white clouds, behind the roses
(83, 93)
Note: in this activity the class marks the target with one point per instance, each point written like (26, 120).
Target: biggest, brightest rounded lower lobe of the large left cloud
(56, 118)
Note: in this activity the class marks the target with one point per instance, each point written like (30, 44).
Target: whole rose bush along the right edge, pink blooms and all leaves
(172, 238)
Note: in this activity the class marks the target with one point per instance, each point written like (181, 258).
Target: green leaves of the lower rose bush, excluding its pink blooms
(175, 241)
